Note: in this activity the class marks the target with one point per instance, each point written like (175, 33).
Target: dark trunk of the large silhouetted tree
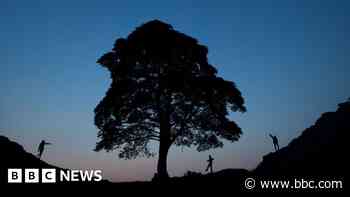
(164, 146)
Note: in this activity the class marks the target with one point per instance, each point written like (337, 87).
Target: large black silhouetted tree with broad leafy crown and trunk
(164, 89)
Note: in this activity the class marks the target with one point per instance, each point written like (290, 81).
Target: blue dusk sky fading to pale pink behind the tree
(289, 59)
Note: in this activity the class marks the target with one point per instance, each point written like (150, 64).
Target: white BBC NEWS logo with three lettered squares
(51, 175)
